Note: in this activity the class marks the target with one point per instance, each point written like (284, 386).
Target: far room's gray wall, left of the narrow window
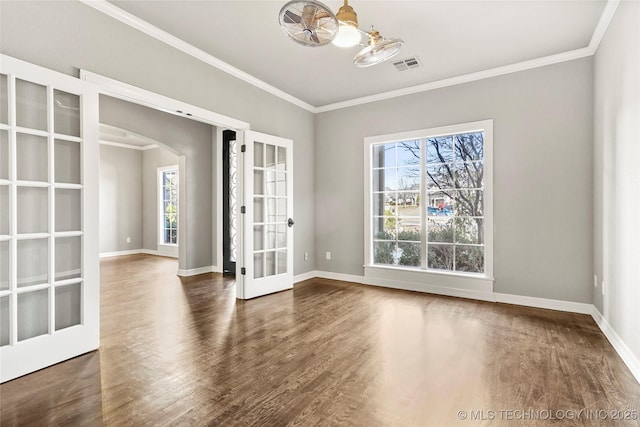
(120, 199)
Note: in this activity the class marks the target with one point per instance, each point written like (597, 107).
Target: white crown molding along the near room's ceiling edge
(126, 18)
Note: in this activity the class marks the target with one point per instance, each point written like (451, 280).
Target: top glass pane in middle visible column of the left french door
(31, 105)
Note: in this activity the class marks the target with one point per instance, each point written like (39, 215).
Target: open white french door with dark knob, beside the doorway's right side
(266, 224)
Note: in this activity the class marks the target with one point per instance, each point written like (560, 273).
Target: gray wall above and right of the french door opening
(66, 36)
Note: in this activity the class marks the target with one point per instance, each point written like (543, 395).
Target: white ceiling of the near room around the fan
(451, 38)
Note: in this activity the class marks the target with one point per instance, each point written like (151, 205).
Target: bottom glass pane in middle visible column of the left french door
(33, 314)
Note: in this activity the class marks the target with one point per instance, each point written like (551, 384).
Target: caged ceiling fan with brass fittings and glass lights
(311, 23)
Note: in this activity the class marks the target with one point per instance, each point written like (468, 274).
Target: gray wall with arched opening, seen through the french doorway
(187, 137)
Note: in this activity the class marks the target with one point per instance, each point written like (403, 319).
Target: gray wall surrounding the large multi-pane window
(542, 174)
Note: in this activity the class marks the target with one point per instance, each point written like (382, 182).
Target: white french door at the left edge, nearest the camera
(49, 271)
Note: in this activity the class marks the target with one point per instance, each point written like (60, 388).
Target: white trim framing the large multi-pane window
(485, 126)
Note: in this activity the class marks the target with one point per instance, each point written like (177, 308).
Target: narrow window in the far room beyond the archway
(168, 205)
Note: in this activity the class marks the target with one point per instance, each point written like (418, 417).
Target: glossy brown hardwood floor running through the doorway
(186, 352)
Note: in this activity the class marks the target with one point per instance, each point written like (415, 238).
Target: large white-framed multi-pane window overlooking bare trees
(429, 199)
